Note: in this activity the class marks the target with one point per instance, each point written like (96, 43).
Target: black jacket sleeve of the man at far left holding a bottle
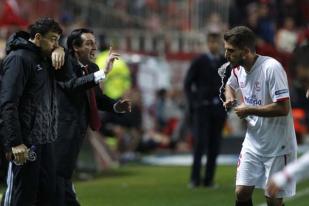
(14, 79)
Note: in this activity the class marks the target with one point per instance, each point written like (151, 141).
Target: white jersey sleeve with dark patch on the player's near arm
(278, 83)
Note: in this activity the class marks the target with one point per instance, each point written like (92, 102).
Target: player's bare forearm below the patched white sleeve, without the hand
(270, 110)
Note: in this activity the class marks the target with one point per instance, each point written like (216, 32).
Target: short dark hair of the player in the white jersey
(241, 37)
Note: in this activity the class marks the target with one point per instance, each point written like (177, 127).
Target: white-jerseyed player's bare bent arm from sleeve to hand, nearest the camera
(275, 109)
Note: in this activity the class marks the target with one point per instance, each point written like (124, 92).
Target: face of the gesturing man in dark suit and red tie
(86, 52)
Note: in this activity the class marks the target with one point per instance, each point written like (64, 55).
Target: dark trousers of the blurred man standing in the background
(207, 128)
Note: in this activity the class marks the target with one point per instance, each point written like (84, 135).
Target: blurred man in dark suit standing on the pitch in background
(202, 85)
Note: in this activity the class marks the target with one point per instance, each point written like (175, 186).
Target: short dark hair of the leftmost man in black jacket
(43, 26)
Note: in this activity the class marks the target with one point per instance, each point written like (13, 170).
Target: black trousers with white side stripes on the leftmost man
(34, 183)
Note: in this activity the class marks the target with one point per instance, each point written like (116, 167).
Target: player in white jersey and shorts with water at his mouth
(270, 141)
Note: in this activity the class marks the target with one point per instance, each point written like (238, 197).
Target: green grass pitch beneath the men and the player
(166, 186)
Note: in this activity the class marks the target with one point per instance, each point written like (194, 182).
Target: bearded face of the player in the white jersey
(233, 54)
